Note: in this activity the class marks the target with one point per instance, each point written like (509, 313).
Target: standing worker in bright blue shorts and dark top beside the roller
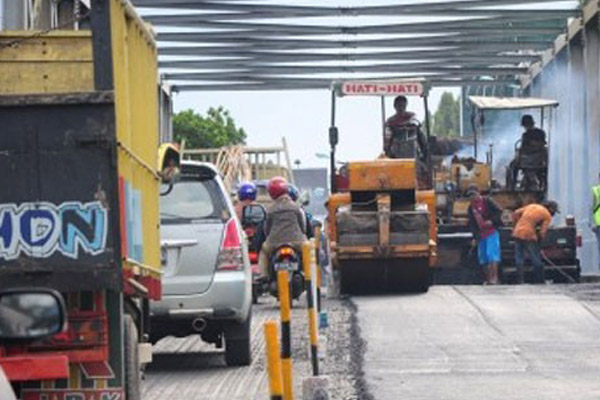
(485, 219)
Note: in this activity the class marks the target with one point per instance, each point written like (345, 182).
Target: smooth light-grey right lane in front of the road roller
(476, 342)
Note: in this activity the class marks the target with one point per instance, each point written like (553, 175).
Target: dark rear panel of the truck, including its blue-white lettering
(59, 211)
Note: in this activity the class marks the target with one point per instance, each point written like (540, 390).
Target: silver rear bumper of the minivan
(229, 297)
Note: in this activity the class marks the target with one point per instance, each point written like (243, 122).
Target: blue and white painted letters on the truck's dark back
(42, 229)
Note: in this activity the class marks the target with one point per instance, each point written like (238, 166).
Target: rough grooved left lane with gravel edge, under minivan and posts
(188, 369)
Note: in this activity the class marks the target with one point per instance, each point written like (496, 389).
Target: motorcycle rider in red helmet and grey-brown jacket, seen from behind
(285, 223)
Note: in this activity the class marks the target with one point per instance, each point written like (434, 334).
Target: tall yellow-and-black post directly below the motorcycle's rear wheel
(286, 340)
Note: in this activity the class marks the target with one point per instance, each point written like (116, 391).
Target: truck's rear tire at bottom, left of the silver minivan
(133, 373)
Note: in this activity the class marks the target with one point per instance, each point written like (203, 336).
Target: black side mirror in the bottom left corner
(31, 314)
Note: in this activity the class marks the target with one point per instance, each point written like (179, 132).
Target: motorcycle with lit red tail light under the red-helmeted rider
(287, 258)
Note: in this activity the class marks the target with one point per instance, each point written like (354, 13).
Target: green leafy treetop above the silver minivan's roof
(216, 129)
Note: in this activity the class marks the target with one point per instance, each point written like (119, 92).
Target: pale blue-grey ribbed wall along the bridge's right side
(572, 78)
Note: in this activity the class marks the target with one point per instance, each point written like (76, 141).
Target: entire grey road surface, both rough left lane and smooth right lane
(455, 342)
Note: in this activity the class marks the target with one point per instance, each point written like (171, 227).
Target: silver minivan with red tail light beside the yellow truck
(207, 282)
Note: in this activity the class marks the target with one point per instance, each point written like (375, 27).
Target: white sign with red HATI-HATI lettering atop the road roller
(381, 88)
